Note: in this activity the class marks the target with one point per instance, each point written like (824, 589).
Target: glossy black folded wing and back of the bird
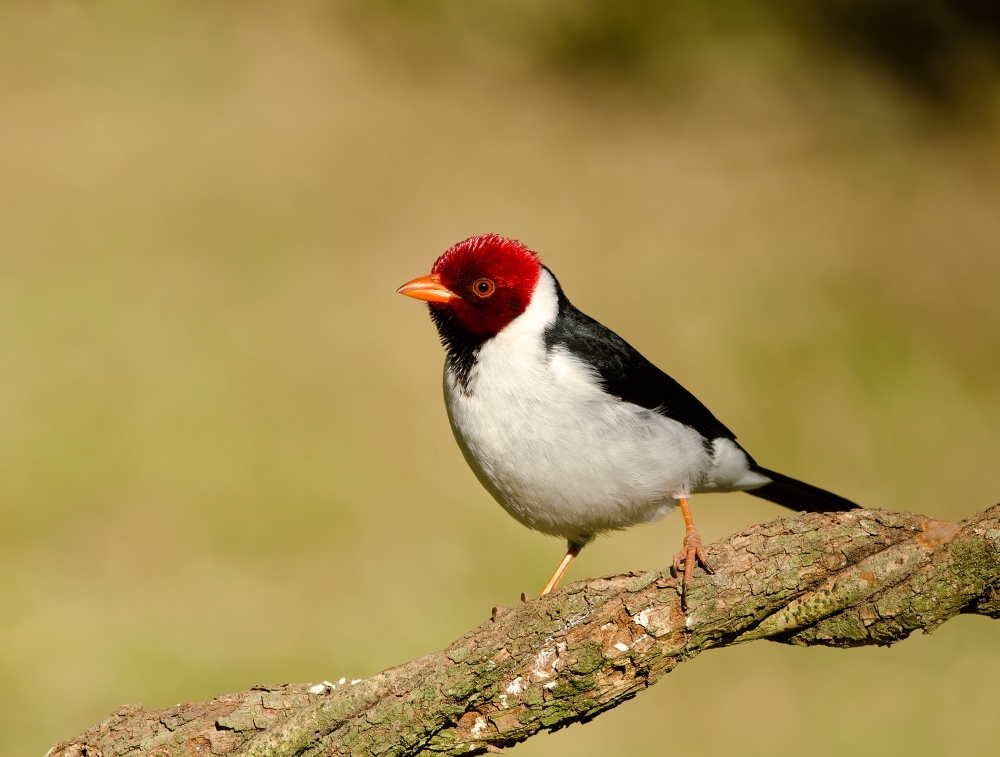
(626, 373)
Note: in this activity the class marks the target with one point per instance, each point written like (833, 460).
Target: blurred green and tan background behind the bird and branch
(224, 457)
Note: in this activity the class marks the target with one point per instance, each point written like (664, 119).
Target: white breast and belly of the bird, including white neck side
(560, 454)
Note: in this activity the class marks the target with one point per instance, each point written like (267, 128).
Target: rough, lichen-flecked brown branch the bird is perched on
(846, 579)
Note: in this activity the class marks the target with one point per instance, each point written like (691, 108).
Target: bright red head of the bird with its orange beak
(479, 285)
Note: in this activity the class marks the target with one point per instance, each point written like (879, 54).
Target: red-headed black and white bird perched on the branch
(564, 423)
